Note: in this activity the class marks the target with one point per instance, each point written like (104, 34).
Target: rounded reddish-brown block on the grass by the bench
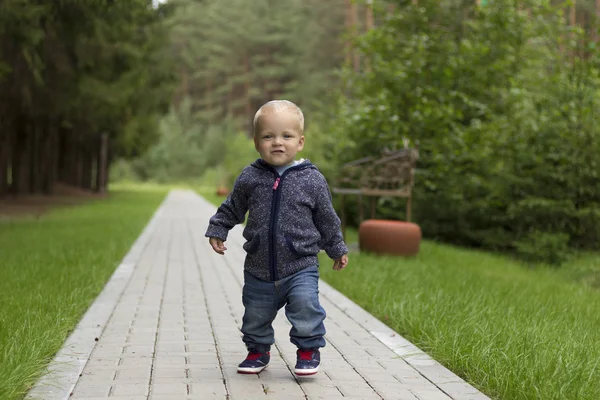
(389, 237)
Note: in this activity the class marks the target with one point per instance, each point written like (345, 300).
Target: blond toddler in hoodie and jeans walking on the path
(291, 218)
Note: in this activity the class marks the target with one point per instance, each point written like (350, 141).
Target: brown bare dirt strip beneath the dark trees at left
(35, 205)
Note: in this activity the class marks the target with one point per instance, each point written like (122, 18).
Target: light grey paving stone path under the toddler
(166, 327)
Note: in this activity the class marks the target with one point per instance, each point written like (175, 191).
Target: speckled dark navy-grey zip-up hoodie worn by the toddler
(291, 219)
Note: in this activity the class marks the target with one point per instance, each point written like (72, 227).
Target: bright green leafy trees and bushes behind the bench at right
(505, 121)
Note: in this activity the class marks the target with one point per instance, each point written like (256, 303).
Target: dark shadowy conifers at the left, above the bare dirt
(81, 82)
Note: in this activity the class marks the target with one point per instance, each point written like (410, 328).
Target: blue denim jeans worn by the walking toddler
(299, 293)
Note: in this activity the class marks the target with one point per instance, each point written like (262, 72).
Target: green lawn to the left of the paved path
(52, 270)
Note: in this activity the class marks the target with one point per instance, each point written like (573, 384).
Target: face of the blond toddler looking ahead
(279, 138)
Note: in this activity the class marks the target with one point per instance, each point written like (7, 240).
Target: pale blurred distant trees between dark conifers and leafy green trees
(233, 56)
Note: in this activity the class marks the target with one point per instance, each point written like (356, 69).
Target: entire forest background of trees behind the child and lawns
(500, 96)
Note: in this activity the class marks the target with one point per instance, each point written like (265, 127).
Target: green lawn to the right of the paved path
(513, 332)
